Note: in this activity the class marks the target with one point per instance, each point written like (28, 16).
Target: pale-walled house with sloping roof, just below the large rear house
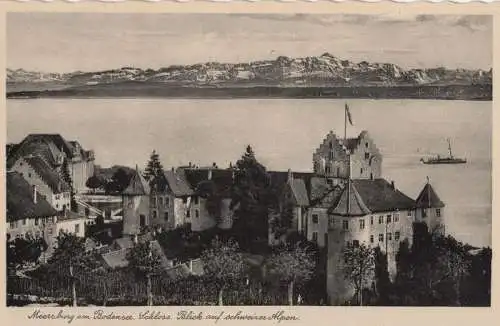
(35, 170)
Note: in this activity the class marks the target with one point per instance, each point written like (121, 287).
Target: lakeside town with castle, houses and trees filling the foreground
(81, 234)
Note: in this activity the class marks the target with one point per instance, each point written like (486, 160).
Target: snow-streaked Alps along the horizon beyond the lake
(316, 71)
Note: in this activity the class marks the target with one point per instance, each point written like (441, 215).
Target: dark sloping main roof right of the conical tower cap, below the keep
(380, 196)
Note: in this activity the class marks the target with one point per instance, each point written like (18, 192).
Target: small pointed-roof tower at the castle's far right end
(430, 209)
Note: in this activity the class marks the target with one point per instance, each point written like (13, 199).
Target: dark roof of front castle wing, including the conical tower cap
(367, 196)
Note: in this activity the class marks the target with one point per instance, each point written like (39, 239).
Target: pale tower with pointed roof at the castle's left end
(136, 205)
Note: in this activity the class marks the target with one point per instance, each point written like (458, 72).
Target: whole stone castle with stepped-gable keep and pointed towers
(344, 201)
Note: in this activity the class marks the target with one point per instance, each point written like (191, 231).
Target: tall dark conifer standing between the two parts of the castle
(251, 198)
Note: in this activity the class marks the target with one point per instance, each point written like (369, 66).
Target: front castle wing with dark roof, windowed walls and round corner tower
(375, 213)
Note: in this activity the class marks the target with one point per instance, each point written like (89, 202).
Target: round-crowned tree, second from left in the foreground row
(145, 262)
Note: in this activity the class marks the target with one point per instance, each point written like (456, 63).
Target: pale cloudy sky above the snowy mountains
(66, 42)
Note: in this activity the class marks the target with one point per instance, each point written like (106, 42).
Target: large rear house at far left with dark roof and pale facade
(55, 150)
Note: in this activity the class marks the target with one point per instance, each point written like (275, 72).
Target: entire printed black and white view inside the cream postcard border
(248, 159)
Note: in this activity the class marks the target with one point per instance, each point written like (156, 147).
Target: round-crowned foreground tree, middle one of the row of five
(223, 265)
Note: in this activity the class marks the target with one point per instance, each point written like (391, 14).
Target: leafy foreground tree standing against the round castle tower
(359, 266)
